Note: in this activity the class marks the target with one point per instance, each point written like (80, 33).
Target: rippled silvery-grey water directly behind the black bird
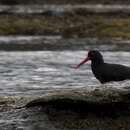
(29, 73)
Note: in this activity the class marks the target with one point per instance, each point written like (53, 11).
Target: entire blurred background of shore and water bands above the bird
(66, 24)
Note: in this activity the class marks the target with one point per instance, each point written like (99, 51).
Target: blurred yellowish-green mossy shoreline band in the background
(72, 25)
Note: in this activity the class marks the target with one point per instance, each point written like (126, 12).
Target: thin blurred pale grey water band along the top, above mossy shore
(59, 10)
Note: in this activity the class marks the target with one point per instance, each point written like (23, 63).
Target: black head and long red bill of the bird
(93, 55)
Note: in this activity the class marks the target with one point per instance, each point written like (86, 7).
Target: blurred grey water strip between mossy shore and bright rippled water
(29, 43)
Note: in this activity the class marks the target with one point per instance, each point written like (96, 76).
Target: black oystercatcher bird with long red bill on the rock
(105, 72)
